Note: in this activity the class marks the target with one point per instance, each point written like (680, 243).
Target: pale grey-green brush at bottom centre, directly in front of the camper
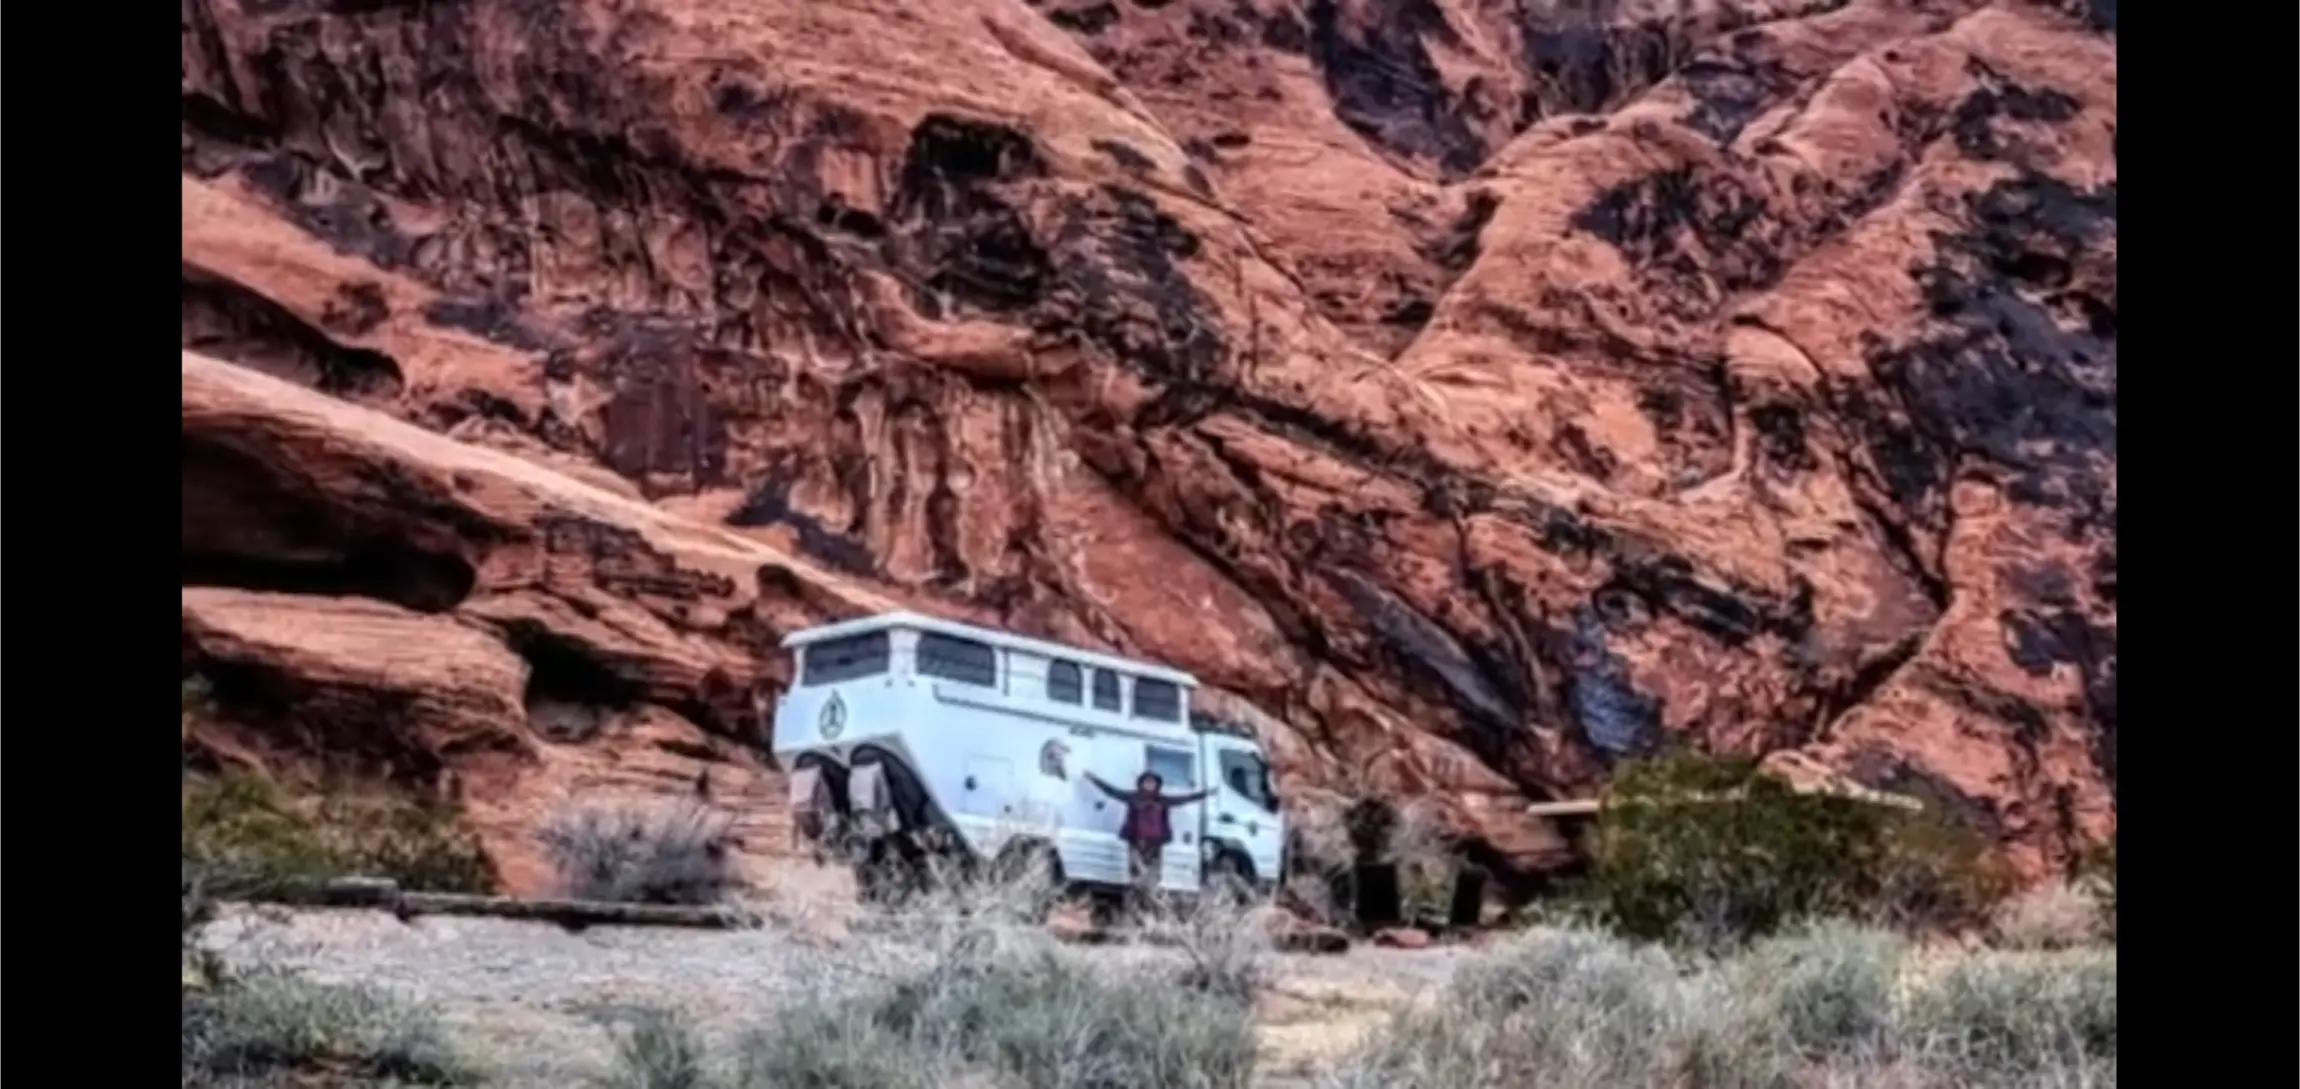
(953, 991)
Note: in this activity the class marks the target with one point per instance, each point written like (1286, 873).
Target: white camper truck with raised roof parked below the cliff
(944, 736)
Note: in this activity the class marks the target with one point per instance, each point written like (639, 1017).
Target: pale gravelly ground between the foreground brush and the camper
(539, 1003)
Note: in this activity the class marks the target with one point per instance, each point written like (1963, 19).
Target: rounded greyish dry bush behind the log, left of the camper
(673, 855)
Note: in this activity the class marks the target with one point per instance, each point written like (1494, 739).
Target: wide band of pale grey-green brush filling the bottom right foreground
(1825, 1005)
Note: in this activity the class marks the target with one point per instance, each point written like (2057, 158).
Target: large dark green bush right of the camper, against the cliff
(1717, 851)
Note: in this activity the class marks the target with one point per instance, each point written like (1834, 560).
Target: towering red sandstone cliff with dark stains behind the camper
(1471, 393)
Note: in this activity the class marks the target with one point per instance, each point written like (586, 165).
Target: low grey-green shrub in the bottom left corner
(270, 1026)
